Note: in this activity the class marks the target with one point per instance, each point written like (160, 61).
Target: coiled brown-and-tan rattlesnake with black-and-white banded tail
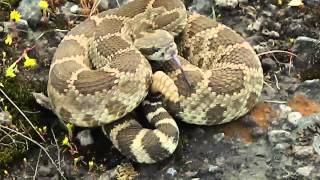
(100, 73)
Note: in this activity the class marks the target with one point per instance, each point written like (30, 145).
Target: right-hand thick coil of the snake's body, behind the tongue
(224, 72)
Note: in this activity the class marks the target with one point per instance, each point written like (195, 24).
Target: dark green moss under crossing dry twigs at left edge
(19, 90)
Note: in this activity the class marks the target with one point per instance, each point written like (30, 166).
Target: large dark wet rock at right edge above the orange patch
(308, 63)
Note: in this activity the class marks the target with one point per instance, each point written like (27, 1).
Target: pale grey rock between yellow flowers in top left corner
(31, 12)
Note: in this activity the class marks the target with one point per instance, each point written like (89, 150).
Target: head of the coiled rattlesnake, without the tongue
(156, 45)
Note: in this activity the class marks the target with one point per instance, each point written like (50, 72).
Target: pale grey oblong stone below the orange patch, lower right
(280, 136)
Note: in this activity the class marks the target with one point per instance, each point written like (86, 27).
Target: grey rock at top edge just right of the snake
(203, 7)
